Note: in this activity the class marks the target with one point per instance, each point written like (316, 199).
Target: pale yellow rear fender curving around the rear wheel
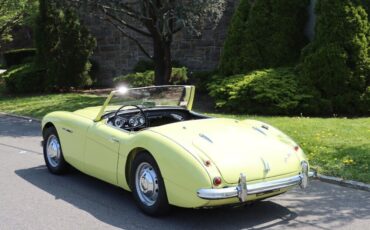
(182, 173)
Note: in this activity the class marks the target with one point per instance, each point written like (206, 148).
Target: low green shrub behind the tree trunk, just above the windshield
(179, 76)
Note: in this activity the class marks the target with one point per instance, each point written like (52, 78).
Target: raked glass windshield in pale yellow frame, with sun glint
(149, 97)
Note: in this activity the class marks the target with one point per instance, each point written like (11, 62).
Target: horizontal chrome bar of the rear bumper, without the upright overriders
(230, 192)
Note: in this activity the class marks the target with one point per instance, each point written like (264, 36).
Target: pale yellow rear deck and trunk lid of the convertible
(250, 147)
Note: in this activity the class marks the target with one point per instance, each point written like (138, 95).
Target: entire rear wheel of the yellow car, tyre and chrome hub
(148, 186)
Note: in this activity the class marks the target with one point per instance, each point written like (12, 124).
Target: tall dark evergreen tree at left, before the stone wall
(64, 46)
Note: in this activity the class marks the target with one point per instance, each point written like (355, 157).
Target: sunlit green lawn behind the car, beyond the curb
(335, 146)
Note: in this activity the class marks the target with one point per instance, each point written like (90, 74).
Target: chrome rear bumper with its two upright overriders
(243, 189)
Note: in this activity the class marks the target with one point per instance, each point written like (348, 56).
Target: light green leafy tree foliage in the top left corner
(12, 13)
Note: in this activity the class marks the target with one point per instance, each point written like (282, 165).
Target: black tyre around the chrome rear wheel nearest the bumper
(160, 205)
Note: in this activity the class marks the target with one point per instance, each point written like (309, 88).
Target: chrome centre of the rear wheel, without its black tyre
(146, 182)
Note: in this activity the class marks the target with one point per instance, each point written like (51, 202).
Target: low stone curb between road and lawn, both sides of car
(314, 175)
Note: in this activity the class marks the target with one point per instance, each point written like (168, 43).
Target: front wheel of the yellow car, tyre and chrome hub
(53, 153)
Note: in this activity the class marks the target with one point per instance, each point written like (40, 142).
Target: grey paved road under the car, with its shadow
(31, 198)
